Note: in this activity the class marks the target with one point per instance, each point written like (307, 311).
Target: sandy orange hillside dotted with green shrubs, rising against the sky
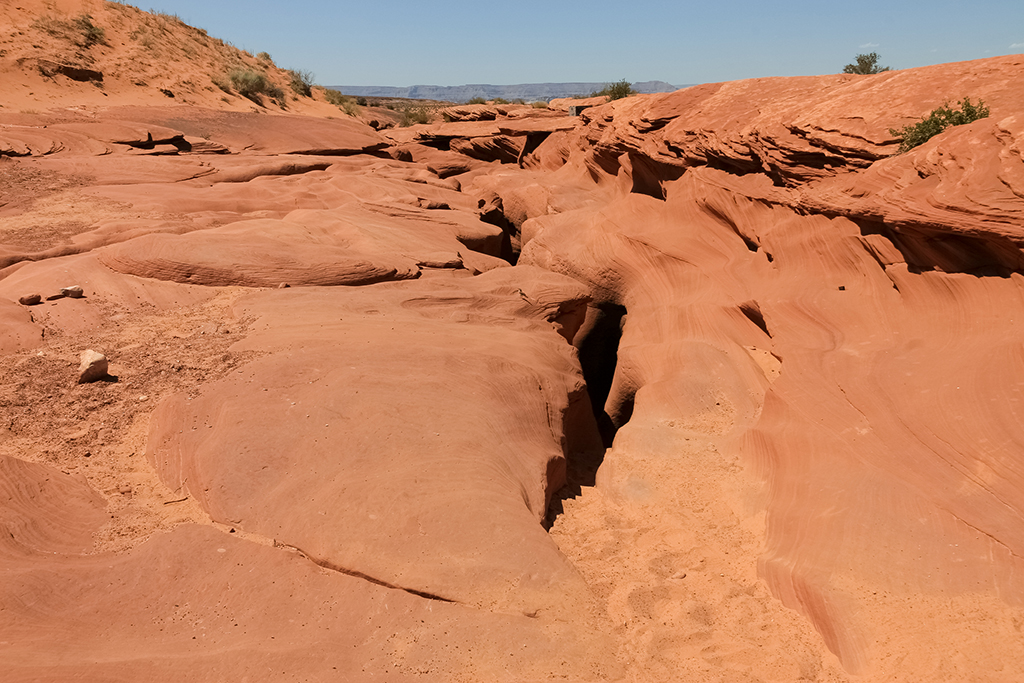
(92, 53)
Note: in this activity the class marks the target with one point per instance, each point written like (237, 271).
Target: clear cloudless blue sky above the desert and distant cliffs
(455, 42)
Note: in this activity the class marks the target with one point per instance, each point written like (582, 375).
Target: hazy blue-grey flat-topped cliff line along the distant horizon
(462, 94)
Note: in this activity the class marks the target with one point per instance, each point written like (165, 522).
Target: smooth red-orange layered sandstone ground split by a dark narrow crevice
(706, 387)
